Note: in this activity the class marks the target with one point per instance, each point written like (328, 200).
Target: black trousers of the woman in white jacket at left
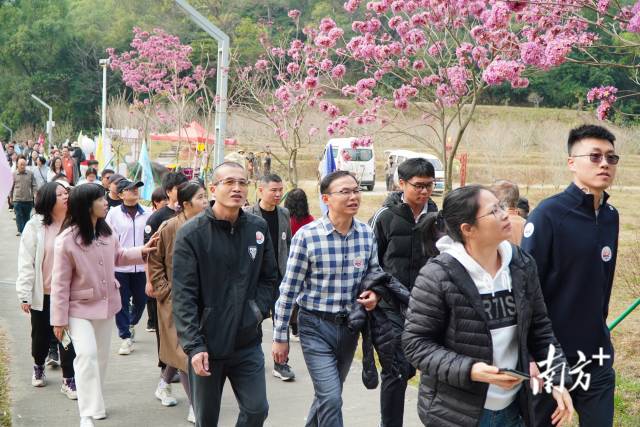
(41, 333)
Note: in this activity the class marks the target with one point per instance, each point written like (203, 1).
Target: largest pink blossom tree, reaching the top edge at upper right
(437, 56)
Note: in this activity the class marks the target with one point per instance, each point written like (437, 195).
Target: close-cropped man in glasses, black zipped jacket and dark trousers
(223, 286)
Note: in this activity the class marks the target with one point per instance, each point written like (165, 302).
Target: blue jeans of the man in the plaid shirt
(328, 350)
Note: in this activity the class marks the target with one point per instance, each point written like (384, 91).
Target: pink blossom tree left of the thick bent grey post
(157, 69)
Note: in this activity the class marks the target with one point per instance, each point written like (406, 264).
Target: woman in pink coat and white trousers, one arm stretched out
(84, 291)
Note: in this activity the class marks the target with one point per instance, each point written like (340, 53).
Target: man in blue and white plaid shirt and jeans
(327, 260)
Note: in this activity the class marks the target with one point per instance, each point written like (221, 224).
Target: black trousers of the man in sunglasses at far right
(594, 406)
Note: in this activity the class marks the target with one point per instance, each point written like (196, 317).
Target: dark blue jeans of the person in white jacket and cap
(131, 289)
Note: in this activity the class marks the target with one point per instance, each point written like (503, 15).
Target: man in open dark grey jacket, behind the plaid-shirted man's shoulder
(270, 190)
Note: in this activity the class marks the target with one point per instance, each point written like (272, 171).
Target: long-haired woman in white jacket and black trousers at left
(35, 266)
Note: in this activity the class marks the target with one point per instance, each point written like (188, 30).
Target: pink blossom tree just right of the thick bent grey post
(285, 85)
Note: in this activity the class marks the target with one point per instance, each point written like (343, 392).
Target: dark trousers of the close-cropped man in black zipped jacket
(245, 371)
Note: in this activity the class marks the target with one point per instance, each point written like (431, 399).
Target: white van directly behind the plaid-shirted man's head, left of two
(360, 161)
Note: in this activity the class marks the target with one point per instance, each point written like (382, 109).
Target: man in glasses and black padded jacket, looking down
(398, 229)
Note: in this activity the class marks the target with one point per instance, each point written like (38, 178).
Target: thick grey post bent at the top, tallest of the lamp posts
(222, 75)
